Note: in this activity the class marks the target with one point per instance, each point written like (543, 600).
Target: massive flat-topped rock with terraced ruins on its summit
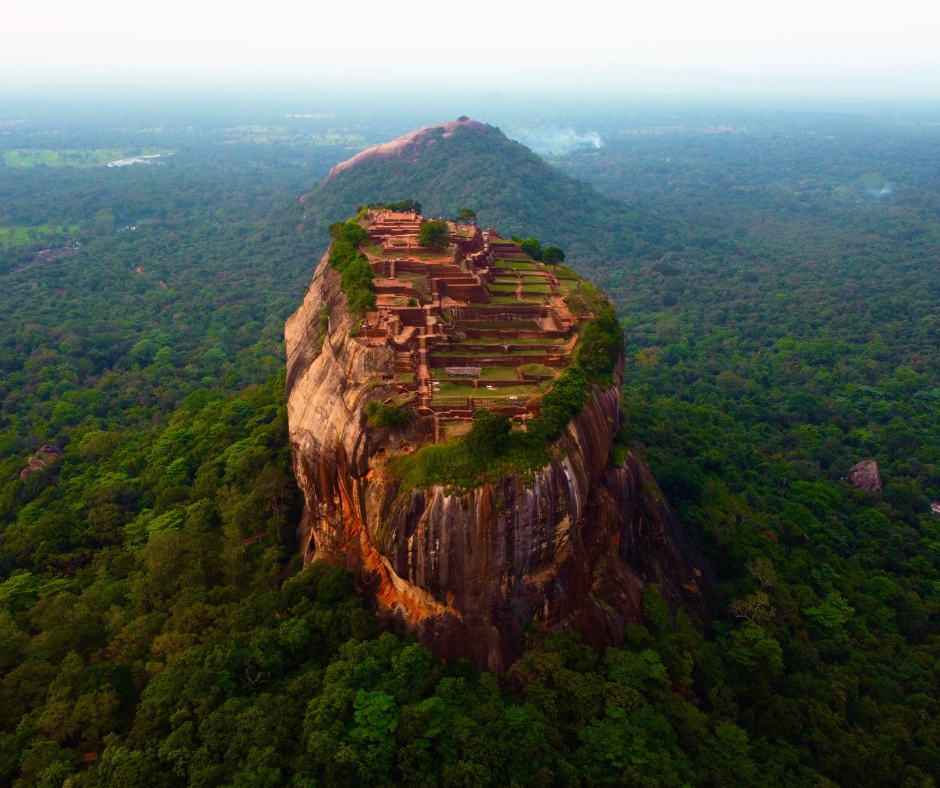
(569, 540)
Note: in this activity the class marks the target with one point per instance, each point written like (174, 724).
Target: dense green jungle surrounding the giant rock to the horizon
(775, 276)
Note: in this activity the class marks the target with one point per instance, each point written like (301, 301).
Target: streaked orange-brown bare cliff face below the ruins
(468, 573)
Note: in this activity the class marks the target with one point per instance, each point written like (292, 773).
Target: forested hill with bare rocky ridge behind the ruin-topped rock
(469, 164)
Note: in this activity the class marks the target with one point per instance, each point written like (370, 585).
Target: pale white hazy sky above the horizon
(493, 43)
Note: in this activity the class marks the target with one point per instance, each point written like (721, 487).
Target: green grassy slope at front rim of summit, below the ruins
(456, 469)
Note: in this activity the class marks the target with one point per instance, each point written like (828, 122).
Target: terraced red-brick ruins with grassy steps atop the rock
(474, 323)
